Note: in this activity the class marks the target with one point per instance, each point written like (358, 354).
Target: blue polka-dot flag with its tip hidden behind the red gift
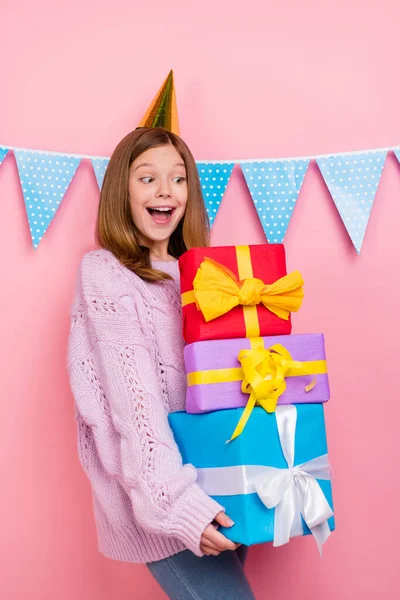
(274, 186)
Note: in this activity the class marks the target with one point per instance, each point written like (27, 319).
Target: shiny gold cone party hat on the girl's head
(162, 111)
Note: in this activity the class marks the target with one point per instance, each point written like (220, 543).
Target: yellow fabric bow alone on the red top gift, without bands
(217, 290)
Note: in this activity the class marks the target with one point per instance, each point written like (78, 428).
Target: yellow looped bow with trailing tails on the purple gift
(264, 373)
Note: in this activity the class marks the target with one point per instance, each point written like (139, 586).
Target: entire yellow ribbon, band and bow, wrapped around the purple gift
(263, 374)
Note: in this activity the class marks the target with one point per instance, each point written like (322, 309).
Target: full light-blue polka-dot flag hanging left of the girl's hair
(45, 178)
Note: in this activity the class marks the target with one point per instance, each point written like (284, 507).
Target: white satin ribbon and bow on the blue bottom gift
(293, 491)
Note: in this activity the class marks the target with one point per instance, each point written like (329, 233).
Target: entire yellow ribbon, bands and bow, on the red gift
(216, 291)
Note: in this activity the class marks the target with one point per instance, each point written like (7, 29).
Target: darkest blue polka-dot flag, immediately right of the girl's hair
(214, 178)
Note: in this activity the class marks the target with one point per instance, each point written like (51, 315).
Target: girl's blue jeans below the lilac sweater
(185, 576)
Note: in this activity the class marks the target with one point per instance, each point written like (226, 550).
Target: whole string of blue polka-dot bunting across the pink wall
(352, 179)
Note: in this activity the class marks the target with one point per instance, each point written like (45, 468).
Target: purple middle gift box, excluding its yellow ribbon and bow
(223, 354)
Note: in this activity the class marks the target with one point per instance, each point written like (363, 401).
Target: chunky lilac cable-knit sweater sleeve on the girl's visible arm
(164, 494)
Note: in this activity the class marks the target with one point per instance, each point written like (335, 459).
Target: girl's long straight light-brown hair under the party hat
(115, 228)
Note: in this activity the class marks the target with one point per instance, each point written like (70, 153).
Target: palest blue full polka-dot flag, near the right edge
(352, 180)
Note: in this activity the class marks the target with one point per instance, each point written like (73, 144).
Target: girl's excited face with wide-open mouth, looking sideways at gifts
(157, 194)
